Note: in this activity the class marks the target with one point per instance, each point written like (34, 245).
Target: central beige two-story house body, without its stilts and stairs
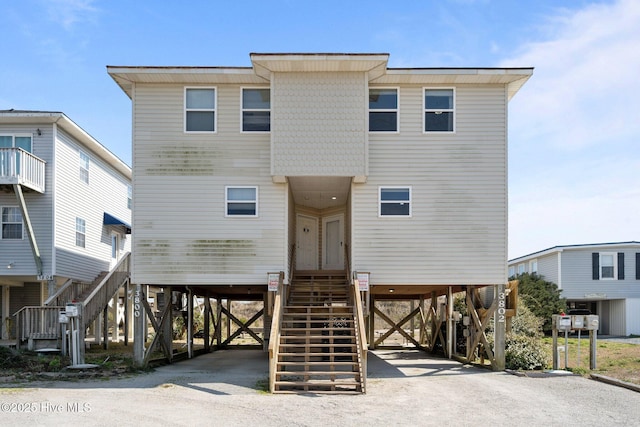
(319, 162)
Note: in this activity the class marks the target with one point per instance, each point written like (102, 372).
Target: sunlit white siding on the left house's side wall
(106, 192)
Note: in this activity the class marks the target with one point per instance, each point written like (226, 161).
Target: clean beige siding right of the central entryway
(458, 230)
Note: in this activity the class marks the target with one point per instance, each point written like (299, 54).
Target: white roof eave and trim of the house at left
(36, 117)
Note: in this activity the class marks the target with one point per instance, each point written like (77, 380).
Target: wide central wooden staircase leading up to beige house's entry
(318, 348)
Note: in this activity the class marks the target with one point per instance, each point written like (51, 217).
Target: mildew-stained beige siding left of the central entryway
(186, 238)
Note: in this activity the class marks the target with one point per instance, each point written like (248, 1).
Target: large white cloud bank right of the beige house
(574, 130)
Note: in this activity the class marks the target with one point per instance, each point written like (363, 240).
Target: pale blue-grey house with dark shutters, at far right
(603, 278)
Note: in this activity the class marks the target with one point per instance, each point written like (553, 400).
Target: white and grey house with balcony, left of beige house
(65, 208)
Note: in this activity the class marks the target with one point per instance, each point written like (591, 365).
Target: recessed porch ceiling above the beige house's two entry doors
(320, 192)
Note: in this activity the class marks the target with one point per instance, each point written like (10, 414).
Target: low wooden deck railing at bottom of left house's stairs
(37, 322)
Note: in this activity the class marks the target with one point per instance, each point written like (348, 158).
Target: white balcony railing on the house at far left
(18, 166)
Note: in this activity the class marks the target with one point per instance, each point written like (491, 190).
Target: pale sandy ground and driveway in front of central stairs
(405, 387)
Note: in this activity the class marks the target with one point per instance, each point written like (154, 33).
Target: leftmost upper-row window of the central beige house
(200, 110)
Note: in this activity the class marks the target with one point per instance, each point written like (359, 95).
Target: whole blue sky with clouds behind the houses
(574, 129)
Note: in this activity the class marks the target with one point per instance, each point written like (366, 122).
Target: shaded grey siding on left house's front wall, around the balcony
(39, 207)
